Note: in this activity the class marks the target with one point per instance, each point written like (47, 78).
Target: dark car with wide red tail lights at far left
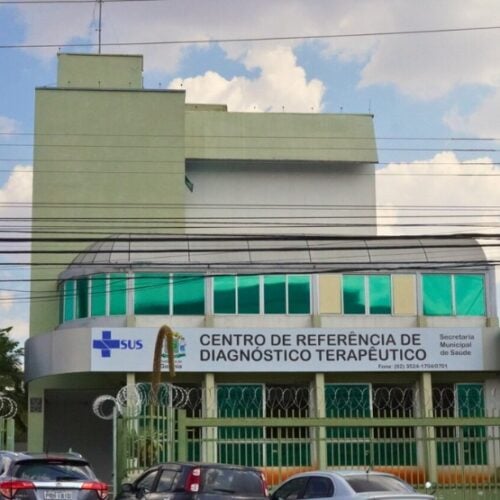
(48, 476)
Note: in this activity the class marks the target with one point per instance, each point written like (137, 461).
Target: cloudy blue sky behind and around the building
(435, 86)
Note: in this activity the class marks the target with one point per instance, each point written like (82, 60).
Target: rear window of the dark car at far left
(56, 470)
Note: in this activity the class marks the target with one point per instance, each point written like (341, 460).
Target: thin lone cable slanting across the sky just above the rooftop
(253, 39)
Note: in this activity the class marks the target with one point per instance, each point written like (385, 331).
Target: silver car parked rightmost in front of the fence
(346, 485)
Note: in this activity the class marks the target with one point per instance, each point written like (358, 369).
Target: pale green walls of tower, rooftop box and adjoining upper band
(108, 153)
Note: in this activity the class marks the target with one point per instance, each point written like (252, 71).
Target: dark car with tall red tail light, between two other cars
(196, 481)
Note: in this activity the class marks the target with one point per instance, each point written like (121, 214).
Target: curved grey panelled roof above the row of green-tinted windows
(252, 254)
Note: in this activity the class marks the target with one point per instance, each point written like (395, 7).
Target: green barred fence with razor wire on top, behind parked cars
(452, 441)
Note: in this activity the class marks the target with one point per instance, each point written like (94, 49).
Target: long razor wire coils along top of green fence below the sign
(259, 400)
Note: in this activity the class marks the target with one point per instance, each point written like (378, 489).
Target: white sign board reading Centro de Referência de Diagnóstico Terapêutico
(292, 349)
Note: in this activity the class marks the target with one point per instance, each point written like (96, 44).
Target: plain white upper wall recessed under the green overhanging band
(282, 197)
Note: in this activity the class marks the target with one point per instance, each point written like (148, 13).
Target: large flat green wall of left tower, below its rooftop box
(101, 159)
